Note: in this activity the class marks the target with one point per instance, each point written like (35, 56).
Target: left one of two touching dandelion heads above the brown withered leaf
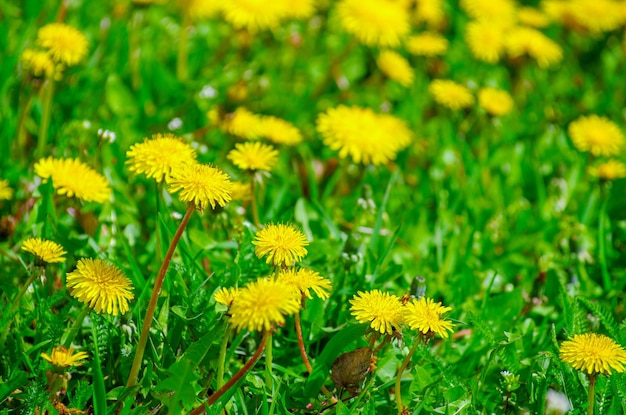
(383, 311)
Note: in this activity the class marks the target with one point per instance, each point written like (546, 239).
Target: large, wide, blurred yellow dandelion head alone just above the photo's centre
(365, 136)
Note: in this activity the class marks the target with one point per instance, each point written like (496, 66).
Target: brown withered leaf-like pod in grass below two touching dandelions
(350, 369)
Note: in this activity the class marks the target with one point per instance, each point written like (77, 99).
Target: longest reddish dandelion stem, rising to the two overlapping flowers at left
(145, 330)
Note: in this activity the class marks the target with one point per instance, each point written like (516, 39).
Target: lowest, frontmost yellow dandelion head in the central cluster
(263, 304)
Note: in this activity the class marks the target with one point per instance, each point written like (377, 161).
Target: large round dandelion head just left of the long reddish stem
(101, 285)
